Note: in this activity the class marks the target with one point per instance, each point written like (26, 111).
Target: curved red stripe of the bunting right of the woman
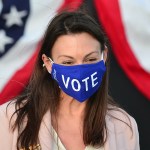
(109, 15)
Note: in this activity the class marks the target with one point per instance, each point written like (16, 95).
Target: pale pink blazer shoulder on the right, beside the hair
(122, 129)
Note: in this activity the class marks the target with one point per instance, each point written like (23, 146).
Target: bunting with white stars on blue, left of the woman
(22, 24)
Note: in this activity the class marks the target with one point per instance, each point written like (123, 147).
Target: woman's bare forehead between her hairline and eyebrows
(75, 44)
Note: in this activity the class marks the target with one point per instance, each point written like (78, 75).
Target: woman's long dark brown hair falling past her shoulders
(43, 93)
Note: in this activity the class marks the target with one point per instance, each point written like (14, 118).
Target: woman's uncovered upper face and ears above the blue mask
(75, 49)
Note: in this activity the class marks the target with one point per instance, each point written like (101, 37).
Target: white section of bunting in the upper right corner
(136, 19)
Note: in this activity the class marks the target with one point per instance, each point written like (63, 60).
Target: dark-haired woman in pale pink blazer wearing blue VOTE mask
(66, 105)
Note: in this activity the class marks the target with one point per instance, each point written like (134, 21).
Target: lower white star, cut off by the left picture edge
(4, 39)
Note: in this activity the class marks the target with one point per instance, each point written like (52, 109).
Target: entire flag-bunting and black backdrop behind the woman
(126, 23)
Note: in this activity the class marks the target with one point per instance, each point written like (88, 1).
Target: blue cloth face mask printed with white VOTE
(79, 81)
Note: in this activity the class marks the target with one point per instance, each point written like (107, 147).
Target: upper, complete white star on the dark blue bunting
(14, 17)
